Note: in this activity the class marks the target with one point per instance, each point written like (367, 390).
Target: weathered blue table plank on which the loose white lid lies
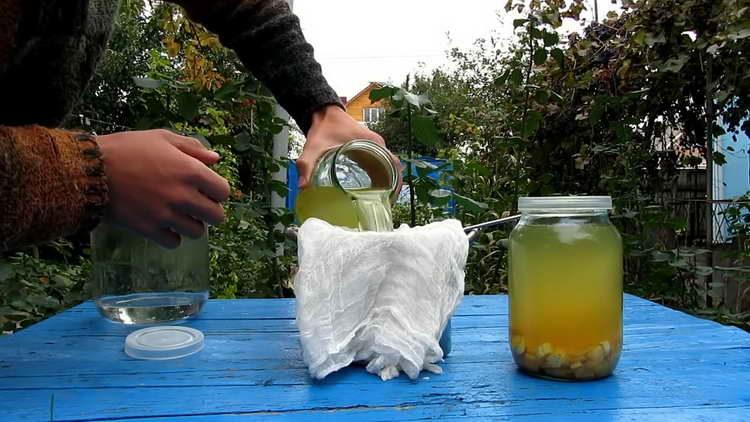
(243, 350)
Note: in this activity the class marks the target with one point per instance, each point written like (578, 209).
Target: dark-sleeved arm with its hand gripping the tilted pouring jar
(267, 37)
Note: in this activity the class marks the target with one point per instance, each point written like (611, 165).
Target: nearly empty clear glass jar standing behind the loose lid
(136, 281)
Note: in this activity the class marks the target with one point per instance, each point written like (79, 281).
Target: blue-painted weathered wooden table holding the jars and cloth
(72, 367)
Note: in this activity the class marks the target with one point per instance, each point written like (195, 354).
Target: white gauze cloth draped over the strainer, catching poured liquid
(380, 298)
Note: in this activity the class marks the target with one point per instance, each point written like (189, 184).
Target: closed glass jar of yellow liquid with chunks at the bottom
(565, 288)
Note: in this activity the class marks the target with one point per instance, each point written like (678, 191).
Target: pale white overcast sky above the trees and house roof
(359, 41)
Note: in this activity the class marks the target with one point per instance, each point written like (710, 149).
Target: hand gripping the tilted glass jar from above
(332, 127)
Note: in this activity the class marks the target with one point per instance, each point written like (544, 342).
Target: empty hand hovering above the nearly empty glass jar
(160, 185)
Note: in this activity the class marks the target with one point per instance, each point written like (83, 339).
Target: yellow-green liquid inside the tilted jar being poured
(362, 209)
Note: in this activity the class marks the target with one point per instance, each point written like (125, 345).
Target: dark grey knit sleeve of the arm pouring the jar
(268, 39)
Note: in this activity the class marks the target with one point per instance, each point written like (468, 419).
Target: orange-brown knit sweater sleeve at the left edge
(52, 184)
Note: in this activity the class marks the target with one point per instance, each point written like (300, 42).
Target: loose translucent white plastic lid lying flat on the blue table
(163, 343)
